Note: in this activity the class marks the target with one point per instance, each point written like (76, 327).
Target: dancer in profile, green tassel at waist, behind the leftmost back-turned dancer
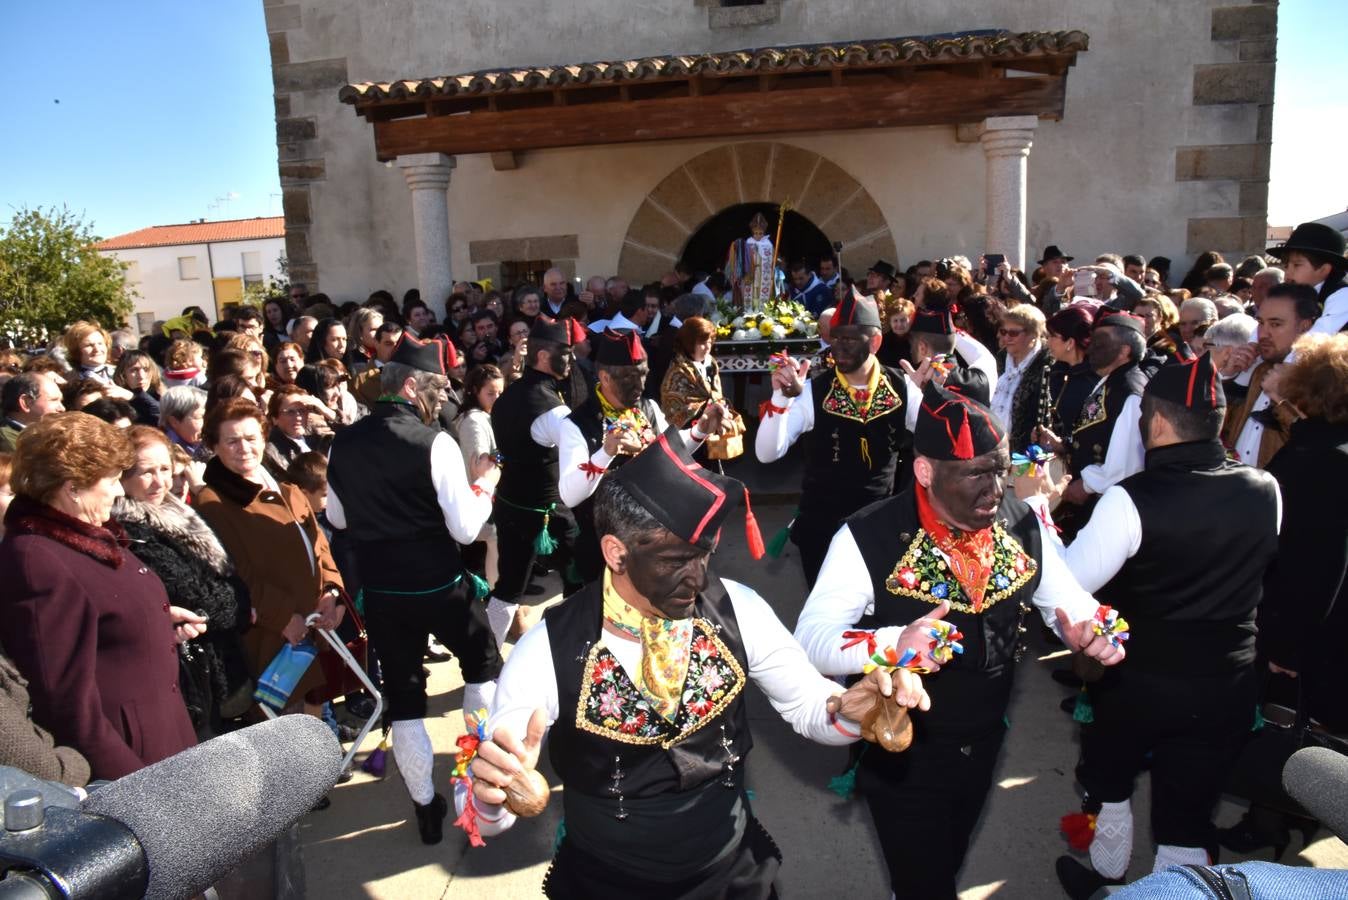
(530, 517)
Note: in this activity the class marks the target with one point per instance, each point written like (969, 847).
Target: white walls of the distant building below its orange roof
(164, 294)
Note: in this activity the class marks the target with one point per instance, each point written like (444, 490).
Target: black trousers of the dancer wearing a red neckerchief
(925, 805)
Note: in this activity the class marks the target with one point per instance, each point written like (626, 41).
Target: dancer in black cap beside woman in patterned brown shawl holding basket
(611, 428)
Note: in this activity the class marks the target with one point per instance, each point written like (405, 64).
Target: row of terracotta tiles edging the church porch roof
(853, 55)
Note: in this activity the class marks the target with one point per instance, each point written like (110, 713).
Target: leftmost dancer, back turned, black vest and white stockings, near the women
(397, 487)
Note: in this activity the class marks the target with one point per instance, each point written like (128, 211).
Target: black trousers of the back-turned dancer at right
(1192, 726)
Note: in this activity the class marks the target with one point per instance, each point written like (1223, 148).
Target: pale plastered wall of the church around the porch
(1102, 180)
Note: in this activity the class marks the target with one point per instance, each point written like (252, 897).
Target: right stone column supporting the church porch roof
(1006, 145)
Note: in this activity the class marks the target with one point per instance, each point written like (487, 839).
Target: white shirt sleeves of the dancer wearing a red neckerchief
(845, 592)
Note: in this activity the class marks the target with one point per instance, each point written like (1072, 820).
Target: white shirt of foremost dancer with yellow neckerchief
(777, 665)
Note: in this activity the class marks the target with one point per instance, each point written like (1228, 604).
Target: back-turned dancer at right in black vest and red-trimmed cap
(1186, 699)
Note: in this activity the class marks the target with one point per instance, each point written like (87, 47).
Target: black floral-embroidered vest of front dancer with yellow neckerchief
(605, 716)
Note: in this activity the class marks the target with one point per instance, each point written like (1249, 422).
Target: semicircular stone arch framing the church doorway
(754, 173)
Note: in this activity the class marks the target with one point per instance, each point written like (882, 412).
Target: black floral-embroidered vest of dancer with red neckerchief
(911, 577)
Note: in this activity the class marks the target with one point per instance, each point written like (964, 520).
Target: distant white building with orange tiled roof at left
(202, 263)
